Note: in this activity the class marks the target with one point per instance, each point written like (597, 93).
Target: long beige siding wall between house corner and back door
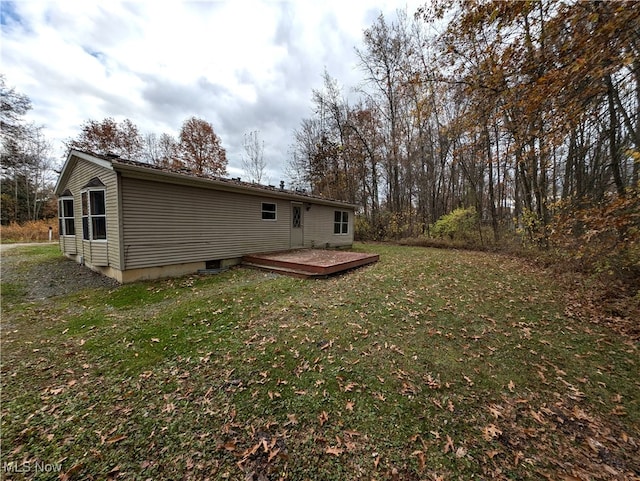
(167, 224)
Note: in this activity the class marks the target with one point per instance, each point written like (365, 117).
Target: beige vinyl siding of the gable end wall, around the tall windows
(97, 253)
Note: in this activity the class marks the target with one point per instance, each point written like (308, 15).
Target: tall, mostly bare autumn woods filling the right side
(522, 113)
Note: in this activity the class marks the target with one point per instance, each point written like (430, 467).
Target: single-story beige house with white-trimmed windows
(131, 221)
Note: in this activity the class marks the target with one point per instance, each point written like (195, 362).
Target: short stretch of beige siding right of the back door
(318, 227)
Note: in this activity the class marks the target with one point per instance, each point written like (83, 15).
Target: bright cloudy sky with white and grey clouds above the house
(240, 65)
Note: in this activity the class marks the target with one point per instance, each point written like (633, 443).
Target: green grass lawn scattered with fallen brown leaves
(430, 364)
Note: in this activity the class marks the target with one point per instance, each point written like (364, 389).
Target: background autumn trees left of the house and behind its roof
(28, 168)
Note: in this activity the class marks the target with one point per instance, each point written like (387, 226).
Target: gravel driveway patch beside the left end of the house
(50, 278)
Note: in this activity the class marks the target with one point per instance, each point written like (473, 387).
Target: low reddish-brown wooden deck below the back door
(309, 263)
